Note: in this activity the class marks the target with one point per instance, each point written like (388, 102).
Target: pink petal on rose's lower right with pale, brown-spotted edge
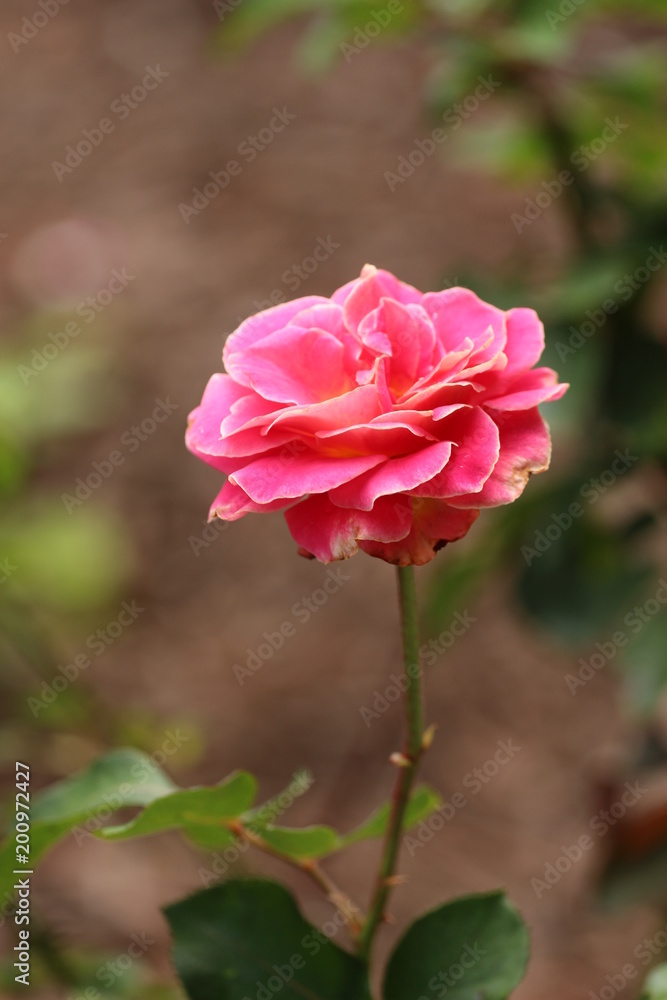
(525, 448)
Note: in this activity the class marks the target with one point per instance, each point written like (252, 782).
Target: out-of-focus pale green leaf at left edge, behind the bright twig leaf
(123, 777)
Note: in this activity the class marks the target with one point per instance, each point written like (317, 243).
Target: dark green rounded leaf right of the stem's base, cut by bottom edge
(475, 946)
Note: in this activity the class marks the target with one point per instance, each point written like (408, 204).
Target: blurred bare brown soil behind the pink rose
(323, 176)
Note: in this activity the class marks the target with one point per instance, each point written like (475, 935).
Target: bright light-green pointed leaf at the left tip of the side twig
(197, 811)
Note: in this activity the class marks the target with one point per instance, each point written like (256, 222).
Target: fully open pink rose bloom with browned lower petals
(381, 418)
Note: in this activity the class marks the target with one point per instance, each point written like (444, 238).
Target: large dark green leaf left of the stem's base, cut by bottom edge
(247, 938)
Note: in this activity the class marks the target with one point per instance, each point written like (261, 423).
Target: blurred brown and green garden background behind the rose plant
(172, 167)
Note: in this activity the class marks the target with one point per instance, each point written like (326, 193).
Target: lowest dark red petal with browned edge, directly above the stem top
(434, 523)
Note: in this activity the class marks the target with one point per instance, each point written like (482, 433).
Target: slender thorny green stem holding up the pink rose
(407, 762)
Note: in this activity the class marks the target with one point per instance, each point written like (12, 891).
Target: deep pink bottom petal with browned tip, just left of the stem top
(328, 533)
